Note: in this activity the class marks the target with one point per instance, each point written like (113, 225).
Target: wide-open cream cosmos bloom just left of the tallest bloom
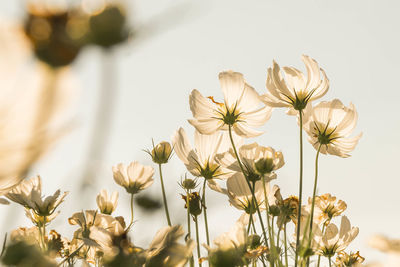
(241, 108)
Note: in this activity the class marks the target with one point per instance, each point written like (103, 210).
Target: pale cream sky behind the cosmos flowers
(357, 44)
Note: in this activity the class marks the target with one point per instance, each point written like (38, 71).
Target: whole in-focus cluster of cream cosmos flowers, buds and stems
(222, 161)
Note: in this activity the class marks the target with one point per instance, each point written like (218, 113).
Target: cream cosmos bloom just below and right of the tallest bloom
(329, 125)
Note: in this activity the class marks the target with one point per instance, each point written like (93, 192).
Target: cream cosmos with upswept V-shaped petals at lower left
(29, 194)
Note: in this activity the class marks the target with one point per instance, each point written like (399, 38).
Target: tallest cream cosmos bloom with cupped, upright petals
(290, 88)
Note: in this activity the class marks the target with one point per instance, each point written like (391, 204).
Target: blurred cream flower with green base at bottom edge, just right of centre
(230, 247)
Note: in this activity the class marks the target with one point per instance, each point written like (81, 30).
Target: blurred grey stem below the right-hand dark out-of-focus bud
(103, 118)
